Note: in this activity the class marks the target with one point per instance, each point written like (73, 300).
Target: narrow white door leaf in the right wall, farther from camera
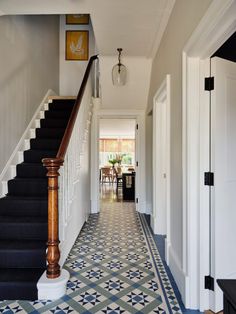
(159, 168)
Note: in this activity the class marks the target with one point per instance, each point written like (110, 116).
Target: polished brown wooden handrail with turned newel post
(53, 165)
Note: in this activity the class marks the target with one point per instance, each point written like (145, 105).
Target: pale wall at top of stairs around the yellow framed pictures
(71, 72)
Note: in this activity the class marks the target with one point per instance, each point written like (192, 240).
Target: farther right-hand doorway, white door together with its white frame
(160, 219)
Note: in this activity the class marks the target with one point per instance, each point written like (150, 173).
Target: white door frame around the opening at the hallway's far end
(140, 188)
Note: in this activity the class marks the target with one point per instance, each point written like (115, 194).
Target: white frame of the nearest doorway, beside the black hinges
(217, 25)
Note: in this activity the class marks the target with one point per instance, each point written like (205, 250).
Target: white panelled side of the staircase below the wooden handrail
(74, 180)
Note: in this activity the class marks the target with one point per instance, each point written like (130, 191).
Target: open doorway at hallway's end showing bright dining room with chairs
(117, 159)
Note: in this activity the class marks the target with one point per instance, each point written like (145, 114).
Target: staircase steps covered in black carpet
(23, 211)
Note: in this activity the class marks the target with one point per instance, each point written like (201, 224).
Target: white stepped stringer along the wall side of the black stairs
(9, 171)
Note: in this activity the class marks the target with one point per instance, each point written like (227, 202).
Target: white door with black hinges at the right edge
(223, 157)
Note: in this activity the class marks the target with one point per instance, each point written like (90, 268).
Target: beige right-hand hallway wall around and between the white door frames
(168, 60)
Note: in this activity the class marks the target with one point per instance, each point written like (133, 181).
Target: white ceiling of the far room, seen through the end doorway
(117, 128)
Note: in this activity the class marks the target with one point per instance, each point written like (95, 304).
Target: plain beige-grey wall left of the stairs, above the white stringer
(29, 63)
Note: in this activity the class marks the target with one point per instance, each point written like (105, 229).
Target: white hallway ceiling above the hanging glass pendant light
(134, 25)
